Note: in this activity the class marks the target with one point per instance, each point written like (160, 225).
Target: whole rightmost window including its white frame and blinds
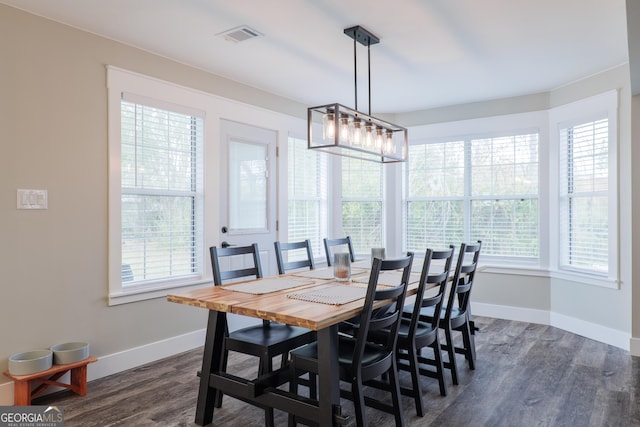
(587, 204)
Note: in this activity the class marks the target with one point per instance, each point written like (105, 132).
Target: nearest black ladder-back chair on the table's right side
(362, 361)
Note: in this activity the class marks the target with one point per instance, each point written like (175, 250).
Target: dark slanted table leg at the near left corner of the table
(211, 361)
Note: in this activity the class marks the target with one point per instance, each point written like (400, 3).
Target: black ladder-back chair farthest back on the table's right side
(456, 315)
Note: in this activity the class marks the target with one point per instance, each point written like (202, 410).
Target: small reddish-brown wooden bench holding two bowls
(22, 388)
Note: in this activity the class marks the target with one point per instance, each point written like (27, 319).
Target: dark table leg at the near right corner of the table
(328, 375)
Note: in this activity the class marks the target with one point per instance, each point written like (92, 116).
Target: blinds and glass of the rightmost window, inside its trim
(584, 197)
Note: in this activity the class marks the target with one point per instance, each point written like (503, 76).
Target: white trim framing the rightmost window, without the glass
(592, 108)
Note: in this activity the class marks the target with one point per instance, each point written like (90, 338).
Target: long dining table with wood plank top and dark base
(311, 299)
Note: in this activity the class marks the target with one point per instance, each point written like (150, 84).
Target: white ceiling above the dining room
(431, 53)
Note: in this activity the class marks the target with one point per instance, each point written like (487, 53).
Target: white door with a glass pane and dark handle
(248, 183)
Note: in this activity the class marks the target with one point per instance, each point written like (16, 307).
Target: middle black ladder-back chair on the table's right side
(414, 334)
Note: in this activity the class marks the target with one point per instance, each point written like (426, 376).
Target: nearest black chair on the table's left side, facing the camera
(264, 341)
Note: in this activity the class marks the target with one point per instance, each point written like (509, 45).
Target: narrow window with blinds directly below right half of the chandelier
(362, 203)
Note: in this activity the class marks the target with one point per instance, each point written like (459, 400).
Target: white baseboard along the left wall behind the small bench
(127, 359)
